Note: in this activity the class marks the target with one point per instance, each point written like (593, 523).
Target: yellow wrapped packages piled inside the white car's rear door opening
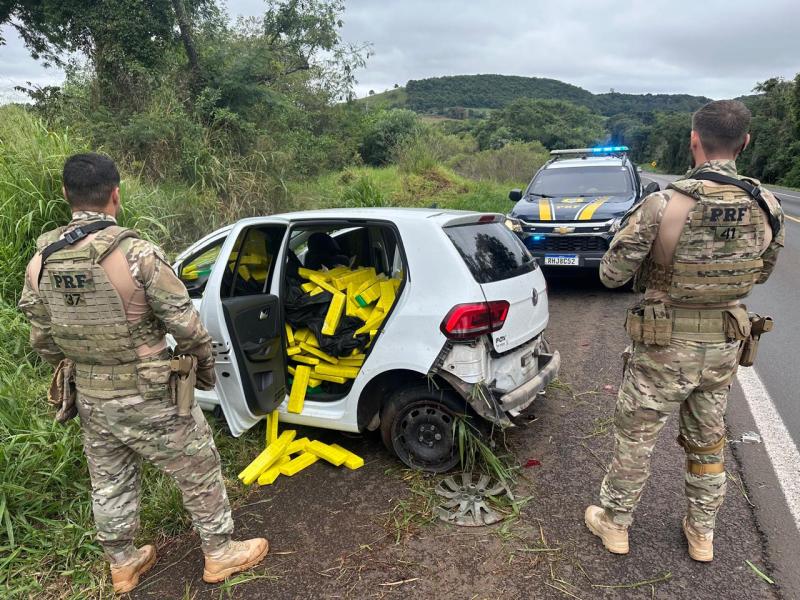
(357, 293)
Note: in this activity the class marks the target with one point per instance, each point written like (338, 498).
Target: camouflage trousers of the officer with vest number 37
(117, 434)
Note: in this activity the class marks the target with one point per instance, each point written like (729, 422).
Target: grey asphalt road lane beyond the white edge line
(778, 362)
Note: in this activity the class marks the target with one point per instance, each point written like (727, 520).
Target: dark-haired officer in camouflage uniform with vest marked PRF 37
(100, 296)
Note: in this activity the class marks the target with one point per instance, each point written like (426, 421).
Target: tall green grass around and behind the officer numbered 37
(47, 546)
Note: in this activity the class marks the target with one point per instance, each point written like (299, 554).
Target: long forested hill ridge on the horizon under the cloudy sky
(441, 94)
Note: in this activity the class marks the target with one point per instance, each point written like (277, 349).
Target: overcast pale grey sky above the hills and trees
(712, 48)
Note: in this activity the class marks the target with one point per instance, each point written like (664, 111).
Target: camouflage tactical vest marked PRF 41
(718, 256)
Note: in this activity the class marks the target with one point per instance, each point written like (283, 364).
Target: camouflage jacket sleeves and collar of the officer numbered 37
(165, 295)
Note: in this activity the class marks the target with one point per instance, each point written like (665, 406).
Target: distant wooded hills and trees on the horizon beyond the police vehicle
(501, 109)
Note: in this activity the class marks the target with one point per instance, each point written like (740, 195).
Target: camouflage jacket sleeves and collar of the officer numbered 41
(633, 242)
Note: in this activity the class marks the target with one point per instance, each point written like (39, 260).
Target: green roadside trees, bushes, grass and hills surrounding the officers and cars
(212, 121)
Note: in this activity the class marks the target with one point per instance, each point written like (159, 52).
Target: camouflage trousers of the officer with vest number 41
(694, 376)
